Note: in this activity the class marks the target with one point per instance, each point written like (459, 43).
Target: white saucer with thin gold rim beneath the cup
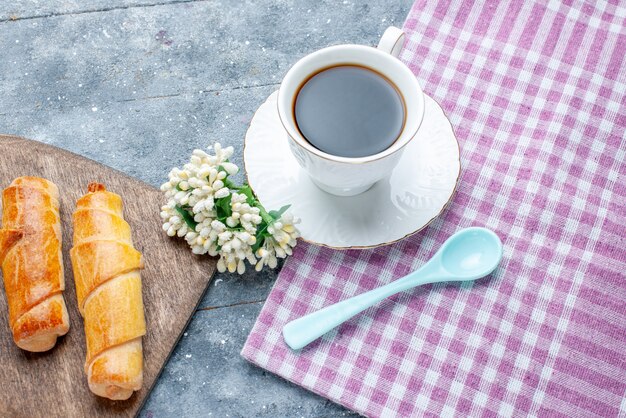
(417, 191)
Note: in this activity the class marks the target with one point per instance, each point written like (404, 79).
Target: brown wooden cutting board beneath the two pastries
(54, 384)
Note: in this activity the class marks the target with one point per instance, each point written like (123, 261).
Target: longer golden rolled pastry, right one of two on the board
(108, 288)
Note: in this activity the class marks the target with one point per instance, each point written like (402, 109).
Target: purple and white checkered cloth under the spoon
(536, 91)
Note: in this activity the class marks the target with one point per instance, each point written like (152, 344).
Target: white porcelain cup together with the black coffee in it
(349, 111)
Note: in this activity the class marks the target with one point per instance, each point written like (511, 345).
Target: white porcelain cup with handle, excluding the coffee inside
(346, 176)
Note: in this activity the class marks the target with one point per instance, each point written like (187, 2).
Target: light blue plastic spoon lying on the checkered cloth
(469, 254)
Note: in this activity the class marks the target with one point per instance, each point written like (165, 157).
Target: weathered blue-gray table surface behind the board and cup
(137, 85)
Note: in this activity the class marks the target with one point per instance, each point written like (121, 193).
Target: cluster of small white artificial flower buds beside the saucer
(195, 188)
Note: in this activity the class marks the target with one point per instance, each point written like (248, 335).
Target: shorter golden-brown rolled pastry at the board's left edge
(32, 263)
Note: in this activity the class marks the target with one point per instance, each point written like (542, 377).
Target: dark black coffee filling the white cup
(349, 111)
